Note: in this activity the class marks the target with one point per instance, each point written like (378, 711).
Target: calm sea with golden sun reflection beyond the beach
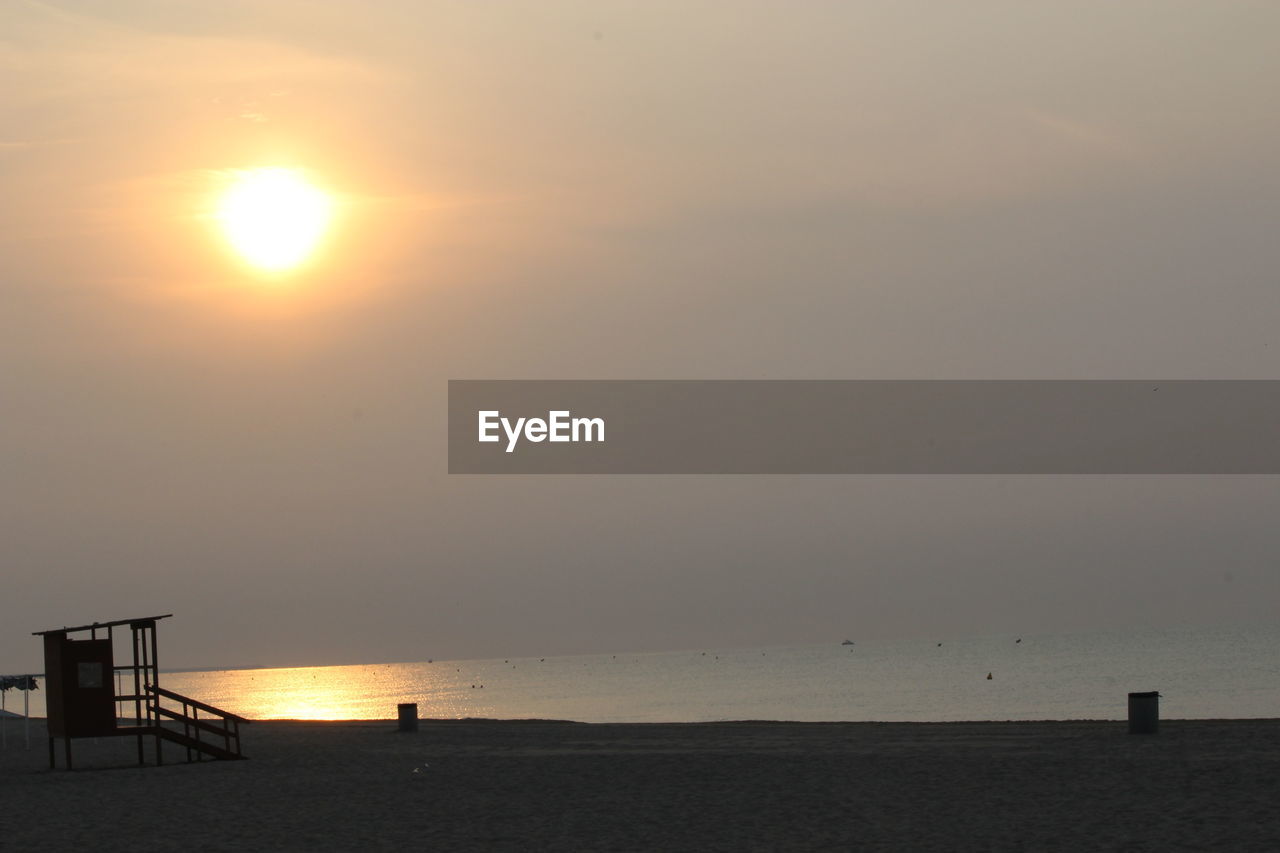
(1201, 673)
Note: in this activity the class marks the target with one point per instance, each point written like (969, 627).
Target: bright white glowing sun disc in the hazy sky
(275, 218)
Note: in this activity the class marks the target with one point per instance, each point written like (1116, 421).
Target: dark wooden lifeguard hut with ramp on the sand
(89, 696)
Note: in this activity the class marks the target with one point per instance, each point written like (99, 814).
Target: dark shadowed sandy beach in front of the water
(1205, 786)
